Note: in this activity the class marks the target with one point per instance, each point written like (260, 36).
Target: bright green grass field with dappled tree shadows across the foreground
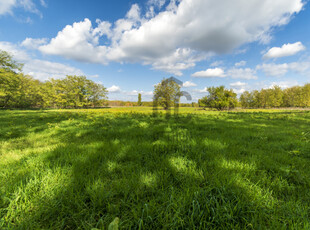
(80, 169)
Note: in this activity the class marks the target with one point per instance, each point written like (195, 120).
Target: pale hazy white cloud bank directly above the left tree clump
(39, 69)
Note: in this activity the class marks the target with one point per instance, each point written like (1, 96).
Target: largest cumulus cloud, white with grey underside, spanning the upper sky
(175, 38)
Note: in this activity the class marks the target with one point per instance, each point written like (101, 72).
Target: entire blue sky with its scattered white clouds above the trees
(128, 46)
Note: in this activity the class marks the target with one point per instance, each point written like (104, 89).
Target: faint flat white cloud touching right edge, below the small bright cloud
(281, 69)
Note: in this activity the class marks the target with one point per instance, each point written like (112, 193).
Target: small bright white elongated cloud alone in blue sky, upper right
(285, 50)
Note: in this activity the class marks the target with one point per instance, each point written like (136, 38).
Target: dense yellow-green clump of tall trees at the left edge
(18, 90)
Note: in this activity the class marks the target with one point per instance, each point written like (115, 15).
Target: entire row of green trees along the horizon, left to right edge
(18, 90)
